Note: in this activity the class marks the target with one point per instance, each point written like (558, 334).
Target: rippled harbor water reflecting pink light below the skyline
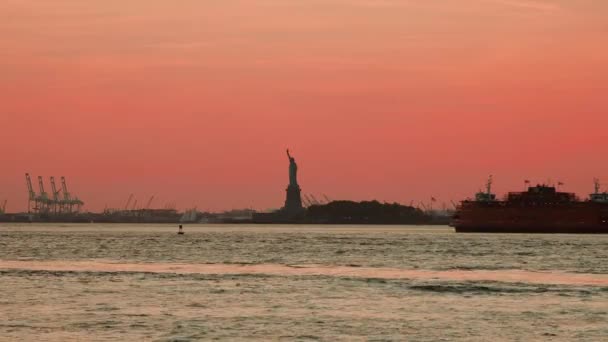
(145, 282)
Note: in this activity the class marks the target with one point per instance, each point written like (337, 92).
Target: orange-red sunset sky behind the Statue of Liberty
(195, 101)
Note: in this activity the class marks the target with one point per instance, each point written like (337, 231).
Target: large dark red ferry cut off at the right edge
(540, 209)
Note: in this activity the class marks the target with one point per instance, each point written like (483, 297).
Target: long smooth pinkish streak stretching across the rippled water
(507, 276)
